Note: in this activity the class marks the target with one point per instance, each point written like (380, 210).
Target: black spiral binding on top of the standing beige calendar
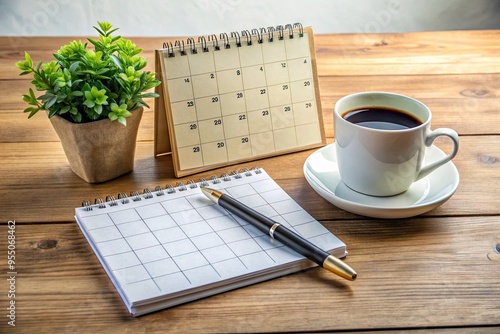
(256, 34)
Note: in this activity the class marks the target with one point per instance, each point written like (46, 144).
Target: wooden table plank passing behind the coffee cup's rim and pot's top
(466, 102)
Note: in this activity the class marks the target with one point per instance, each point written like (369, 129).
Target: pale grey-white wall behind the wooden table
(205, 17)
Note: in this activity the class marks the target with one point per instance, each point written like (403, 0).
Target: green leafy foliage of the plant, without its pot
(85, 85)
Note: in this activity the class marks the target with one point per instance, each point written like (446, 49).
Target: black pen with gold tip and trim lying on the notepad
(282, 234)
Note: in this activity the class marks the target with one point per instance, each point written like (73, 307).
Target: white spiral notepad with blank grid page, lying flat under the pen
(173, 245)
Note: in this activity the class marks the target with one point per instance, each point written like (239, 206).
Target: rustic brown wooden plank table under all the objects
(440, 270)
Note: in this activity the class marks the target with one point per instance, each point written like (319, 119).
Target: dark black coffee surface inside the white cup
(382, 118)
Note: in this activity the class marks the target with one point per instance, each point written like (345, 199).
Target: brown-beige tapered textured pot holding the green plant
(99, 151)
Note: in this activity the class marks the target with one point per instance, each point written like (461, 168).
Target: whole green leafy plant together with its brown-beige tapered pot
(94, 98)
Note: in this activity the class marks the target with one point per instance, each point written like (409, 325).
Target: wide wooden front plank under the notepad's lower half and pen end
(440, 272)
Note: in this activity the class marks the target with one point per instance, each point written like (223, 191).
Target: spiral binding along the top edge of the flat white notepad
(169, 189)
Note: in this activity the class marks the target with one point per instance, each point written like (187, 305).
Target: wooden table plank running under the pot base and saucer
(43, 178)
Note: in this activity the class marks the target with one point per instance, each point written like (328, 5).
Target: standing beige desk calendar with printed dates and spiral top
(237, 97)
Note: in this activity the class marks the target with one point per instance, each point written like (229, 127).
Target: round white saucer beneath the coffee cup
(321, 171)
